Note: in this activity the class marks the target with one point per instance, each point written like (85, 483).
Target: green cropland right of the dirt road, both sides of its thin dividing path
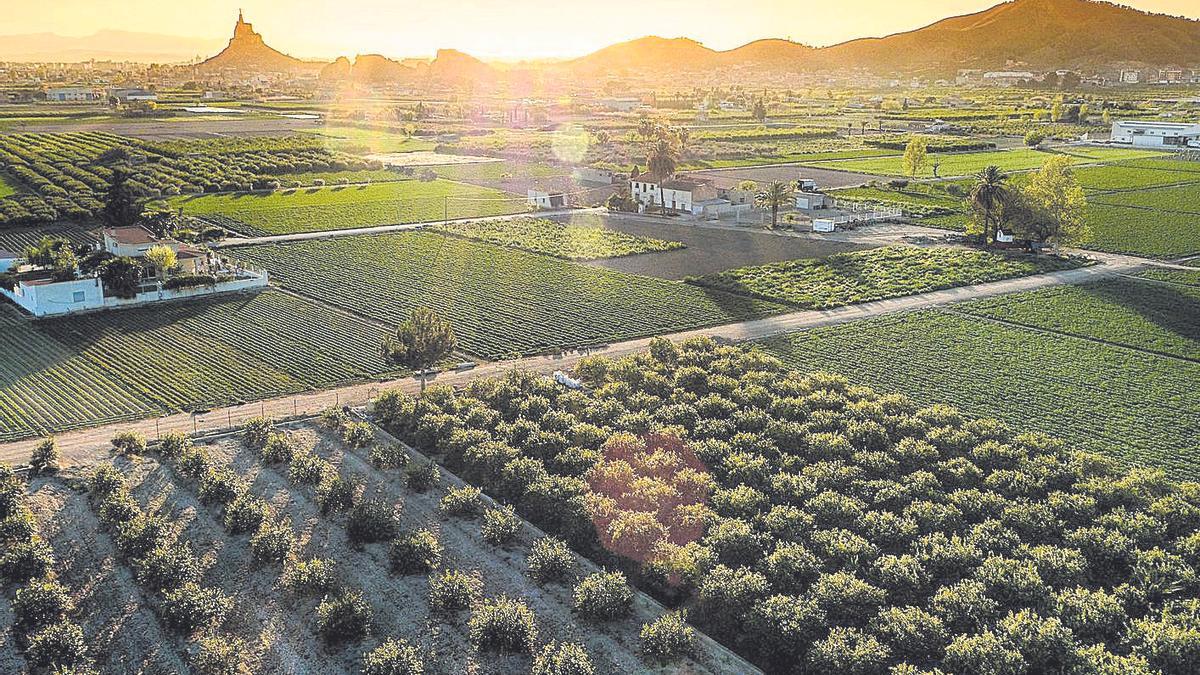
(1079, 371)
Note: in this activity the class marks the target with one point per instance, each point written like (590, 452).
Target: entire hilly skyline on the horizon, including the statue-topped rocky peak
(1036, 35)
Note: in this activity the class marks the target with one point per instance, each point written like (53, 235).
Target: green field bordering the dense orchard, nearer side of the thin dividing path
(1138, 407)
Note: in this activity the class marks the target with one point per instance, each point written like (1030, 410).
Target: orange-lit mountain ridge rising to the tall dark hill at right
(1030, 34)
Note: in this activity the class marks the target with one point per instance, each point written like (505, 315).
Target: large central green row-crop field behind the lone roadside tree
(501, 302)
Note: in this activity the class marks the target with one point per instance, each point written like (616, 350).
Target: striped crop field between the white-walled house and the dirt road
(92, 369)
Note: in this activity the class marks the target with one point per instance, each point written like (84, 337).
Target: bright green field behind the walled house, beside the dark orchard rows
(319, 210)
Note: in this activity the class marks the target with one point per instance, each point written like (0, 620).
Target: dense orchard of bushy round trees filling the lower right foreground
(819, 527)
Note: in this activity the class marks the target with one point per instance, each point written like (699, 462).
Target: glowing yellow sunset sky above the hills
(512, 29)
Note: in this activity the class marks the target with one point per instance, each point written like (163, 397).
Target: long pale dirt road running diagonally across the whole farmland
(86, 446)
